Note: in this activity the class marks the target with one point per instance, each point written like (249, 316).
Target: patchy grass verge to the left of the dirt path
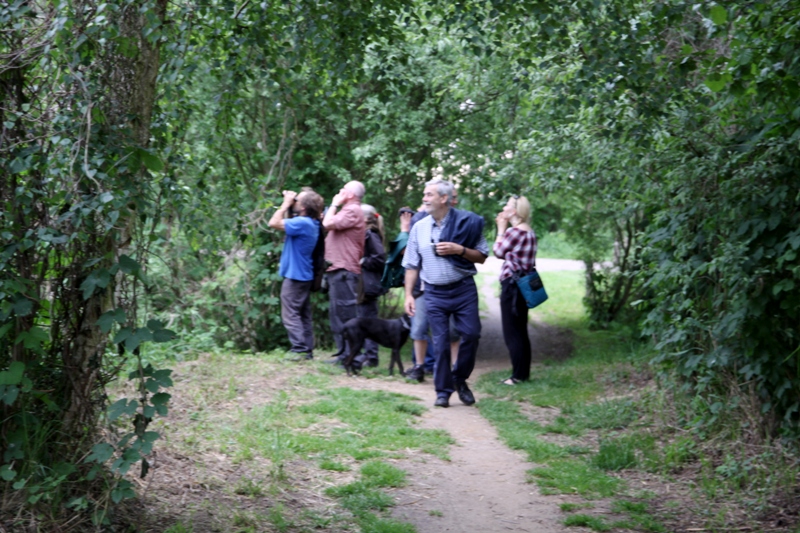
(279, 447)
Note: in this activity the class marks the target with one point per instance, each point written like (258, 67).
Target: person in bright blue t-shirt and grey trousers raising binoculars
(302, 231)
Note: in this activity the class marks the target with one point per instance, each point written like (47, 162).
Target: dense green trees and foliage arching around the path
(661, 138)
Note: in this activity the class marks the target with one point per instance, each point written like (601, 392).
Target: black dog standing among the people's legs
(390, 333)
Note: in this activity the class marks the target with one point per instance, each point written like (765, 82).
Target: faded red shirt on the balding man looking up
(344, 244)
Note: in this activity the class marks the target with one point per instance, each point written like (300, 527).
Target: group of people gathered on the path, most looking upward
(437, 249)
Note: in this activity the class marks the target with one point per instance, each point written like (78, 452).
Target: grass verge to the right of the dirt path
(599, 430)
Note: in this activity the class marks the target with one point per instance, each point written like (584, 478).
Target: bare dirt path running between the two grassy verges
(483, 487)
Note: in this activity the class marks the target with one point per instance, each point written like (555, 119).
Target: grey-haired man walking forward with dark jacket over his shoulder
(442, 250)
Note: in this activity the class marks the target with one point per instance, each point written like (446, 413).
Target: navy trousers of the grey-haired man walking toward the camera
(459, 300)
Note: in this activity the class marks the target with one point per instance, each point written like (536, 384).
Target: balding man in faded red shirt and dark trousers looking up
(344, 248)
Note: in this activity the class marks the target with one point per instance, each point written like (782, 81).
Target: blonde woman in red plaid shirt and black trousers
(516, 243)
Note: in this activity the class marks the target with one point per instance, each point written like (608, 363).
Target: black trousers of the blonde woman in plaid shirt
(514, 315)
